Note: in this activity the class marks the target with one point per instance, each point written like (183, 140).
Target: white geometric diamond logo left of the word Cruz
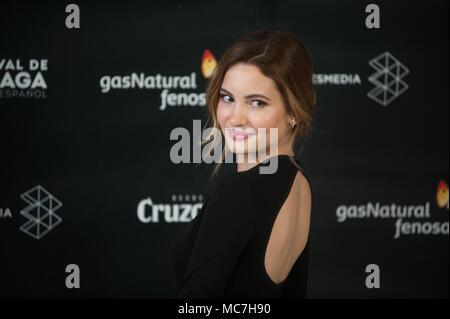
(40, 212)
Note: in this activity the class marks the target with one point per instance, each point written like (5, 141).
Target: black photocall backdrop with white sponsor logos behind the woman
(86, 116)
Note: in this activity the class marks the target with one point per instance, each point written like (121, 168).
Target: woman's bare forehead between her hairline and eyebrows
(246, 79)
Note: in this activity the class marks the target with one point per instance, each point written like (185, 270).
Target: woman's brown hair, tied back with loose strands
(280, 56)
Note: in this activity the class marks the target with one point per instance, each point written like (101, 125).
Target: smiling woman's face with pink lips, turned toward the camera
(250, 101)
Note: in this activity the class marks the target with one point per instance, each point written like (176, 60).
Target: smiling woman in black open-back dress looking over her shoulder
(252, 231)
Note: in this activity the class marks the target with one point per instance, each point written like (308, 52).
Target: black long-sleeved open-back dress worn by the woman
(220, 253)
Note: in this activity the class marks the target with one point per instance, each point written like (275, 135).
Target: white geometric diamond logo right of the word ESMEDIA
(387, 79)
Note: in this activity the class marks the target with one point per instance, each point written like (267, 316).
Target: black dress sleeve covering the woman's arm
(226, 228)
